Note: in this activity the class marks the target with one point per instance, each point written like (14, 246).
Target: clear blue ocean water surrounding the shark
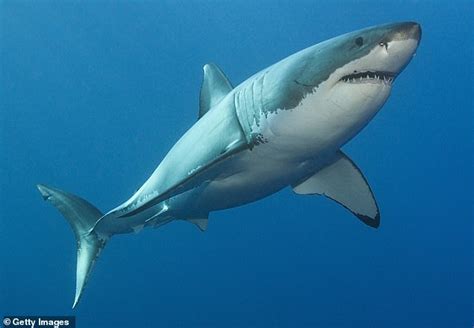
(93, 95)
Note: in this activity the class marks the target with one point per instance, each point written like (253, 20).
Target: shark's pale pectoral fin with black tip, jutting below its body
(343, 182)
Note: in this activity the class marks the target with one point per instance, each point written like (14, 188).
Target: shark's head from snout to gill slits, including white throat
(340, 83)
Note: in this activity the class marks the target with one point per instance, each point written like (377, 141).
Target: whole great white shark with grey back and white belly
(283, 126)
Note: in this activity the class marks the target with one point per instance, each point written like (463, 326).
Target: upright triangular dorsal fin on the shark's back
(215, 86)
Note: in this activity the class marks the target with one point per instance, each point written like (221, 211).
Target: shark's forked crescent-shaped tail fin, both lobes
(82, 216)
